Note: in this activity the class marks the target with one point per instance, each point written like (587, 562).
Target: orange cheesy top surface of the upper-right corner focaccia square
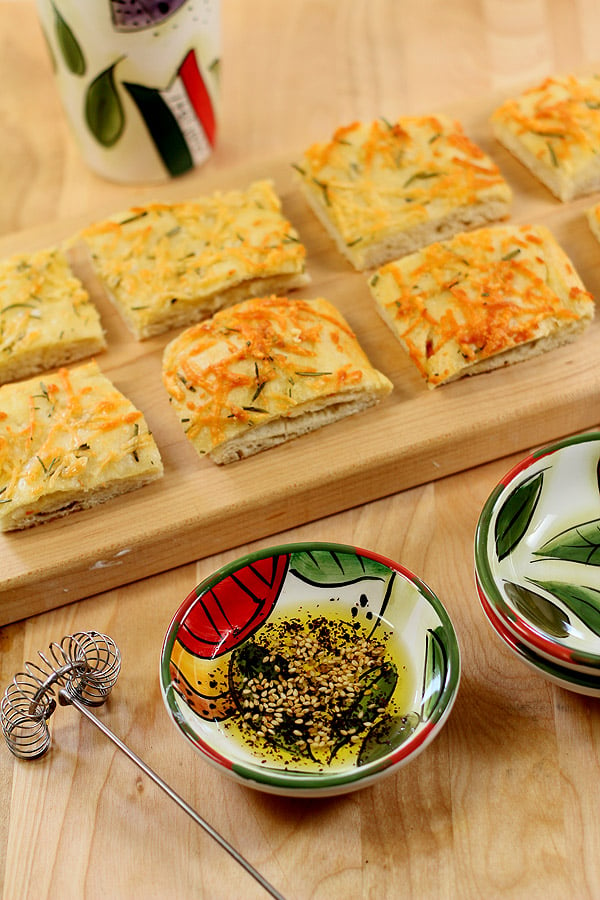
(558, 121)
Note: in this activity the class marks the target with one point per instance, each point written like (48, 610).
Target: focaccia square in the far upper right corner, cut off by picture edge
(554, 130)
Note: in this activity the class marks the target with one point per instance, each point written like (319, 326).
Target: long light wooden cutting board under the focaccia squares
(415, 436)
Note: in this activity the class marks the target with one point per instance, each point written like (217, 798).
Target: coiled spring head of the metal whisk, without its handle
(84, 665)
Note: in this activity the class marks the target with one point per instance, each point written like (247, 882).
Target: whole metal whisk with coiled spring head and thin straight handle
(81, 671)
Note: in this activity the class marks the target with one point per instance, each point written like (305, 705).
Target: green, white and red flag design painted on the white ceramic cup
(180, 118)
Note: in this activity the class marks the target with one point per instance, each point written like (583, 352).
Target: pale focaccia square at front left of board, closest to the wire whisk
(69, 441)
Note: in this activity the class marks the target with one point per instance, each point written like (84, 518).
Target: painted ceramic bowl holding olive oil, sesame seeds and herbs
(310, 670)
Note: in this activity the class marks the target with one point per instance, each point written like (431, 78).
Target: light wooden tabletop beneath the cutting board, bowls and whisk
(504, 803)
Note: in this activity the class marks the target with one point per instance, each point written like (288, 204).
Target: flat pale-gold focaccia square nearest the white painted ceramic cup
(169, 265)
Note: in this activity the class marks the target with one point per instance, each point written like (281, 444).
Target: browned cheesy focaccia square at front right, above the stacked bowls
(482, 300)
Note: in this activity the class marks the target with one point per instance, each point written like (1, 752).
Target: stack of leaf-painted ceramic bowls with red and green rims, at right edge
(537, 562)
